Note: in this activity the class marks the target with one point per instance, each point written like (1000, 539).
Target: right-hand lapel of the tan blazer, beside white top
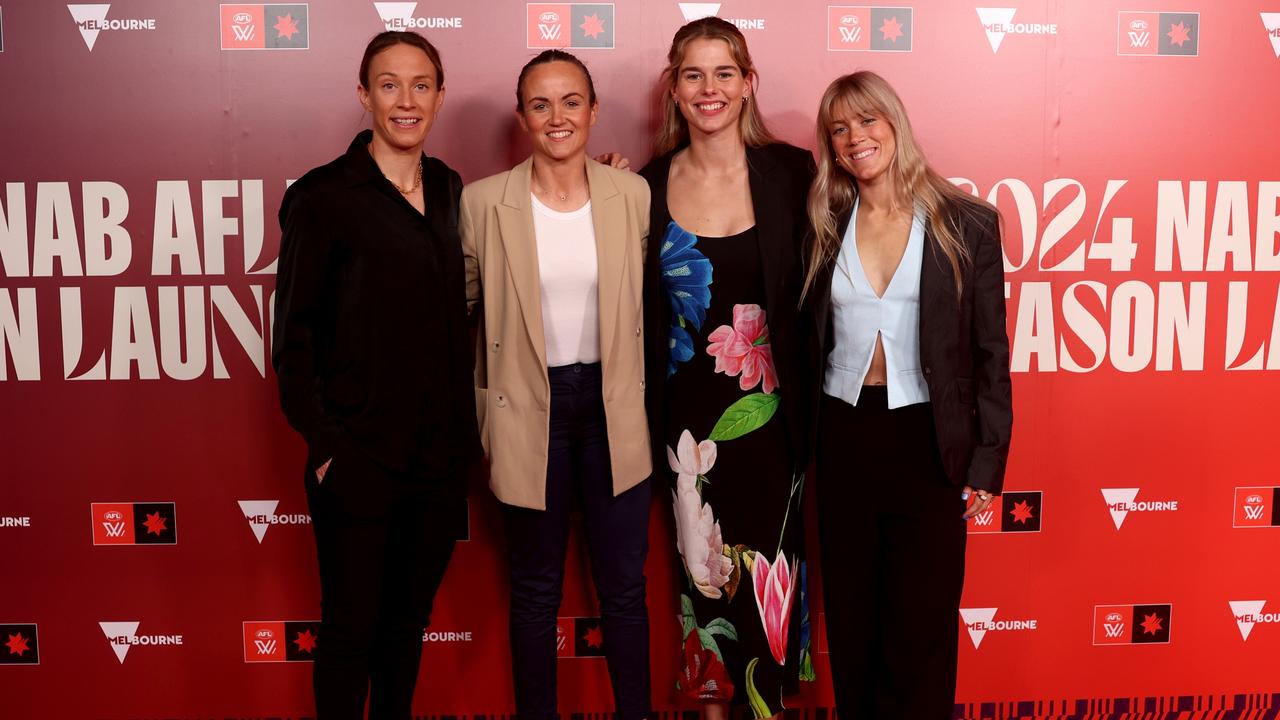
(610, 221)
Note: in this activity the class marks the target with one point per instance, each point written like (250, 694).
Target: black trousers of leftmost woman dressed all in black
(381, 564)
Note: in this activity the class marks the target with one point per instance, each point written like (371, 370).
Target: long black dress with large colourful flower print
(737, 499)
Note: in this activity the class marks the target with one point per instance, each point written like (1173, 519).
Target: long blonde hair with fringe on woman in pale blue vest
(947, 208)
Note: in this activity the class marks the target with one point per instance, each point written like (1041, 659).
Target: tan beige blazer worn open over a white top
(513, 393)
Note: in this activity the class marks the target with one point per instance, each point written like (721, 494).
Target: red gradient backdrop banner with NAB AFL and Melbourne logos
(156, 552)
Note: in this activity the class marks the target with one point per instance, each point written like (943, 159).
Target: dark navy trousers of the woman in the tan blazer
(618, 540)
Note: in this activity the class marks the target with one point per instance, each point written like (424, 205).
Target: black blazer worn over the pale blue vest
(964, 350)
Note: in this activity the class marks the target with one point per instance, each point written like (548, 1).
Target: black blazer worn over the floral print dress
(779, 176)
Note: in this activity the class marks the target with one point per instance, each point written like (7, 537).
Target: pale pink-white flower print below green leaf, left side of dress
(698, 535)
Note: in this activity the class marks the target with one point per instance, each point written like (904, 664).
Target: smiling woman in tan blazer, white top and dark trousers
(555, 256)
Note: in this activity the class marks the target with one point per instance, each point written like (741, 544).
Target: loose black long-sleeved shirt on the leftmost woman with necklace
(371, 343)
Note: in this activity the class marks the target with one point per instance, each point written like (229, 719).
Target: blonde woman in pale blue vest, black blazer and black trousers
(906, 306)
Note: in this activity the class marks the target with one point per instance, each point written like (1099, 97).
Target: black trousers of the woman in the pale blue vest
(893, 559)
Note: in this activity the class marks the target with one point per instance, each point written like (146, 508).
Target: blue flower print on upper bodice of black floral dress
(687, 275)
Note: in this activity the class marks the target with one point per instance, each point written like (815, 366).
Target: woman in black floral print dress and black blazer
(725, 382)
